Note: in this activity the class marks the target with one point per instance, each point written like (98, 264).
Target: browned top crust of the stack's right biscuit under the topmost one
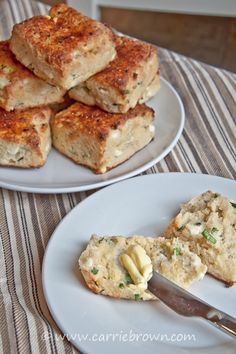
(131, 55)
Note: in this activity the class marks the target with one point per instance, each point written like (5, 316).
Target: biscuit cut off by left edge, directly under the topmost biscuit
(19, 87)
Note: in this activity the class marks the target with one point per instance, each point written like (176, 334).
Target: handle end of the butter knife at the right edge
(223, 321)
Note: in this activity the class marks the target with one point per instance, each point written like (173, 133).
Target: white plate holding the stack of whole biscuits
(61, 175)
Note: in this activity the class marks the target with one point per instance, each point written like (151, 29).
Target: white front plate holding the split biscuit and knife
(142, 205)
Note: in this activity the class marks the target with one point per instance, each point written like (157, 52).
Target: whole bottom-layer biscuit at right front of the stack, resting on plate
(101, 140)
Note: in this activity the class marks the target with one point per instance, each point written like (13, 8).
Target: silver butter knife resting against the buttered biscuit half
(186, 304)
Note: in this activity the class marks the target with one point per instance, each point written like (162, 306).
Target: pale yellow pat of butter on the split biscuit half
(137, 263)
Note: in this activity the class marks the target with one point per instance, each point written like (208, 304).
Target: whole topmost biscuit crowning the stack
(64, 48)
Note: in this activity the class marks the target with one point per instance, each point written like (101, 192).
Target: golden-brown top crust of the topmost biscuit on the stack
(56, 37)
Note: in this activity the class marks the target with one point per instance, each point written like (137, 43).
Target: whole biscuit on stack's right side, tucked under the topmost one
(132, 77)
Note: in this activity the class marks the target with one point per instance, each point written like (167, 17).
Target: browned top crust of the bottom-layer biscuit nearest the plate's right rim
(91, 120)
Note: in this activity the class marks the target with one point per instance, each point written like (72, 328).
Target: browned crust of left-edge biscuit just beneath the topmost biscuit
(10, 67)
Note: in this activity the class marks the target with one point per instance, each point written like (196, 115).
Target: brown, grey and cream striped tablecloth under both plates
(207, 145)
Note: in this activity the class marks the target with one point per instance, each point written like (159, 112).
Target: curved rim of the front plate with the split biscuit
(81, 204)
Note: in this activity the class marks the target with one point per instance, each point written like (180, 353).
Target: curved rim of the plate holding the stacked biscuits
(135, 172)
